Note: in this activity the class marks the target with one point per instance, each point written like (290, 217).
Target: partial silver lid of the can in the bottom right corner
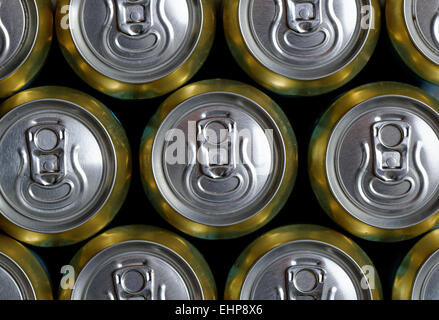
(425, 286)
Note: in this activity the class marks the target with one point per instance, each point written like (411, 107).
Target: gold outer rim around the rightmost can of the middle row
(317, 158)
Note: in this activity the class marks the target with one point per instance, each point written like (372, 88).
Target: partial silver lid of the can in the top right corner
(422, 21)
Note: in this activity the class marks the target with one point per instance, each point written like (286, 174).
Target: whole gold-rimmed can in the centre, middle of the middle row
(218, 159)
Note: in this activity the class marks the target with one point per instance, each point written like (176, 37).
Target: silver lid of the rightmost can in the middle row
(382, 162)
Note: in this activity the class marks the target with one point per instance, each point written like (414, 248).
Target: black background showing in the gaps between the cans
(302, 206)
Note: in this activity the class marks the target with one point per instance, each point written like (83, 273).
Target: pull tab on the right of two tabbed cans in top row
(304, 16)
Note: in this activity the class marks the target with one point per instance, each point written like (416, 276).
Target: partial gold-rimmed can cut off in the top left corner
(25, 37)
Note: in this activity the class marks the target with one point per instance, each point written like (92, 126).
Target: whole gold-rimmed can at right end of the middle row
(373, 161)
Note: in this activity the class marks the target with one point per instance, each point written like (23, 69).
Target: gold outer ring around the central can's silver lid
(260, 218)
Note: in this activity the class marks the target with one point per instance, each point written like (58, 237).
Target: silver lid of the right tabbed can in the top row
(304, 39)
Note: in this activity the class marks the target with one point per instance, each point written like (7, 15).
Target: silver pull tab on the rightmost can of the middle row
(391, 141)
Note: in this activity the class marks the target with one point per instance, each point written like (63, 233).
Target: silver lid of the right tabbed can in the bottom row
(305, 270)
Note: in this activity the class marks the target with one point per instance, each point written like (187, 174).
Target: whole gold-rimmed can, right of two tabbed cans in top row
(302, 47)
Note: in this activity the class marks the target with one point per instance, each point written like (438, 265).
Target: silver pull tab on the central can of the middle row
(217, 146)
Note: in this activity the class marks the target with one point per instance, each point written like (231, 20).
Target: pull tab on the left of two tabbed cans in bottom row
(134, 283)
